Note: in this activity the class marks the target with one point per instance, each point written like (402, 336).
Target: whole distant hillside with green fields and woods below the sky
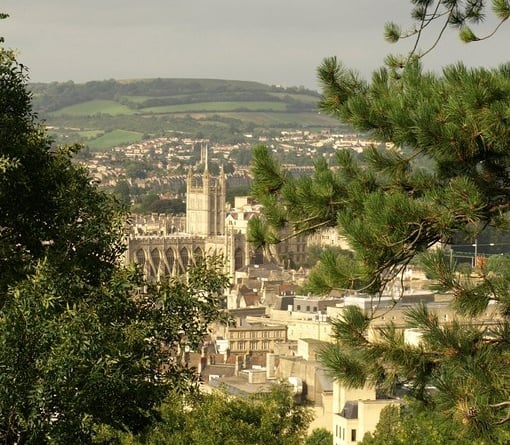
(96, 113)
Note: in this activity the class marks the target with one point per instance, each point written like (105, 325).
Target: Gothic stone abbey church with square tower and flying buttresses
(167, 244)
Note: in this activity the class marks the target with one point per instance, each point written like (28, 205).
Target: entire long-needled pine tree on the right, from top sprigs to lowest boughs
(440, 173)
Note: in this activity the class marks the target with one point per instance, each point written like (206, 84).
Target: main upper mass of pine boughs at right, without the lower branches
(390, 208)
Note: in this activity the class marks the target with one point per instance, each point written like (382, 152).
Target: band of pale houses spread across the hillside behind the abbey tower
(170, 156)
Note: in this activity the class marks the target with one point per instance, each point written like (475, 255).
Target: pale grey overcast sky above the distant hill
(277, 42)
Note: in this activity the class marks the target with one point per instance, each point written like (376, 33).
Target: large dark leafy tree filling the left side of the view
(81, 347)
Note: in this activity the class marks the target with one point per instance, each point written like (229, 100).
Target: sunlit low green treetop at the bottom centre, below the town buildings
(218, 419)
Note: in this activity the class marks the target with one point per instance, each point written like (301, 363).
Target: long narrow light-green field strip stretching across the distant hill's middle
(217, 107)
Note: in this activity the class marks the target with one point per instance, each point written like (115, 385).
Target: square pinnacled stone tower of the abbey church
(205, 201)
